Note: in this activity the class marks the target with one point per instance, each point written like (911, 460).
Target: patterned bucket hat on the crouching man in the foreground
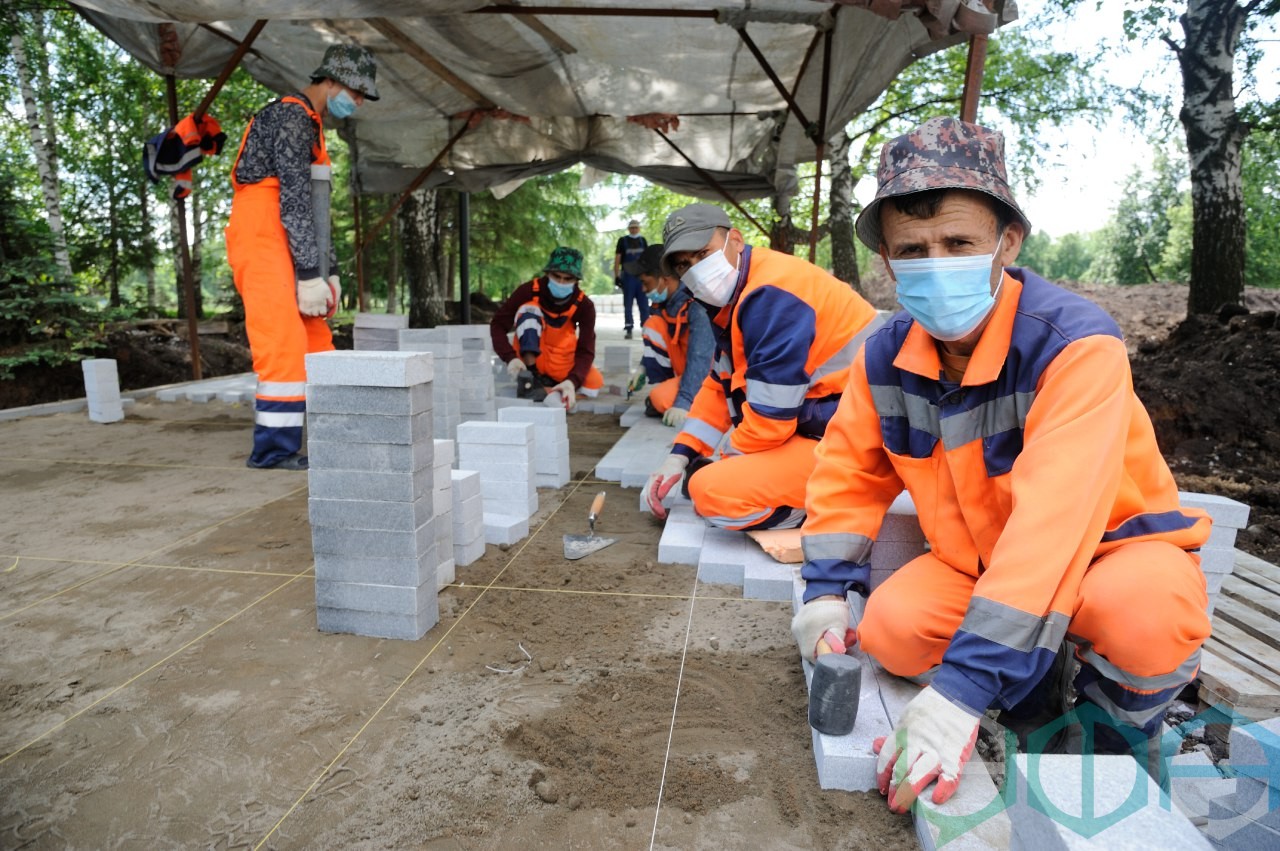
(941, 154)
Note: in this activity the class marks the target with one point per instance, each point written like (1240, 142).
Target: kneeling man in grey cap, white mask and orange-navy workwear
(787, 333)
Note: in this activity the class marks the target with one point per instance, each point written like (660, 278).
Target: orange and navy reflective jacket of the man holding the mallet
(1037, 464)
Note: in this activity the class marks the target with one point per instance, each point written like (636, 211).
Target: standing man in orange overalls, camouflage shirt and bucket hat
(290, 289)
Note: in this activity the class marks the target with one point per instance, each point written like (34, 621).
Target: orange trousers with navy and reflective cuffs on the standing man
(280, 337)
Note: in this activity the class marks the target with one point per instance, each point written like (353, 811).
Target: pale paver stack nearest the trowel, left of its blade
(504, 456)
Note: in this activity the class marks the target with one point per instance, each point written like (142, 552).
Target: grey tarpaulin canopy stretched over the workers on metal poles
(534, 90)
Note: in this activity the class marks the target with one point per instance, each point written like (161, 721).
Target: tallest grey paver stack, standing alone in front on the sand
(372, 493)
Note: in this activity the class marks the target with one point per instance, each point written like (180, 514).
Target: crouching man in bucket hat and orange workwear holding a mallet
(1005, 406)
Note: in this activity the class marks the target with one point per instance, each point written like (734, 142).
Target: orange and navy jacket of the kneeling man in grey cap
(783, 354)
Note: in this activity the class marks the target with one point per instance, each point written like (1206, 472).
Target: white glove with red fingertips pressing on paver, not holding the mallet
(934, 740)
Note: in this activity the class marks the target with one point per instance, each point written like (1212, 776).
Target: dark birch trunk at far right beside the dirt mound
(1214, 135)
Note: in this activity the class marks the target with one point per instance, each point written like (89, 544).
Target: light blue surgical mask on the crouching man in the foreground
(948, 296)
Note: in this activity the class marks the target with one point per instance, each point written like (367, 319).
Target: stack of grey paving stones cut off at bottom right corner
(1250, 816)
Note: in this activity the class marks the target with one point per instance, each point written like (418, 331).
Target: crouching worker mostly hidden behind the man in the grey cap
(679, 342)
